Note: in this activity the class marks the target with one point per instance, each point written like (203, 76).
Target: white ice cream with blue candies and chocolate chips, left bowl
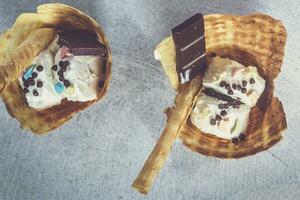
(46, 90)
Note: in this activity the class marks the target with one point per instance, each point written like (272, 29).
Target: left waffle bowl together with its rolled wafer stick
(20, 44)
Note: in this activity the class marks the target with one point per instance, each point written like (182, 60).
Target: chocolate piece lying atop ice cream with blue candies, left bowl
(82, 43)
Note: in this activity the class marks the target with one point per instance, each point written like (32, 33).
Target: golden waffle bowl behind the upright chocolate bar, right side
(256, 40)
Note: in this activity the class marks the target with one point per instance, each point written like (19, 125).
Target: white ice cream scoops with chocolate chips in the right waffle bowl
(241, 86)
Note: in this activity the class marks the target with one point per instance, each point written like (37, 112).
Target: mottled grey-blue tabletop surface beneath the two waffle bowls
(98, 154)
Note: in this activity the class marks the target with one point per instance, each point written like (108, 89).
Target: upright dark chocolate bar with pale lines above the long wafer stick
(190, 48)
